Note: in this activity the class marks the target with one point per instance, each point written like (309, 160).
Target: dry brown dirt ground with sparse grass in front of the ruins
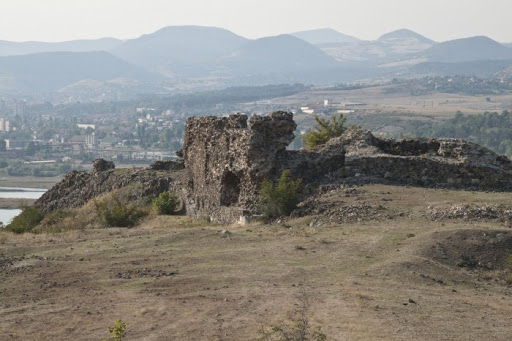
(391, 274)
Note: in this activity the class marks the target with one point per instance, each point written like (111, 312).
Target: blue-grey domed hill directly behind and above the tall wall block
(279, 54)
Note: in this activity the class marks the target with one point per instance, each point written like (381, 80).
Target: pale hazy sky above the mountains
(59, 20)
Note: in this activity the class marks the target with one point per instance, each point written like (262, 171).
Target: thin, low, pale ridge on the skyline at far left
(9, 48)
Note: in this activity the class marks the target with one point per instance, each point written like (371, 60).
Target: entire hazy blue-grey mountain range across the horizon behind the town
(196, 56)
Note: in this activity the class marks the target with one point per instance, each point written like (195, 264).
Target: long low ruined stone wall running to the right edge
(441, 163)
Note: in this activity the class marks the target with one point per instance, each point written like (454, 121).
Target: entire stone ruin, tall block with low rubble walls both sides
(226, 158)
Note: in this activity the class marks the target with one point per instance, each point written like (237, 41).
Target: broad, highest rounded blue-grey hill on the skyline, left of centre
(175, 46)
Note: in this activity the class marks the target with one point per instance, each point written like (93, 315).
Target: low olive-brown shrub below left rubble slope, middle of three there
(115, 213)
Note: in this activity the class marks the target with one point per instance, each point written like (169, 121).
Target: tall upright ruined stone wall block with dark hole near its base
(227, 157)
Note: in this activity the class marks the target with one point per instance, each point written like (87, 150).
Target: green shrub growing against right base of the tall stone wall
(281, 199)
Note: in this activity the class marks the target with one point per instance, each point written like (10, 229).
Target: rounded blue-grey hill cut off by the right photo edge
(468, 49)
